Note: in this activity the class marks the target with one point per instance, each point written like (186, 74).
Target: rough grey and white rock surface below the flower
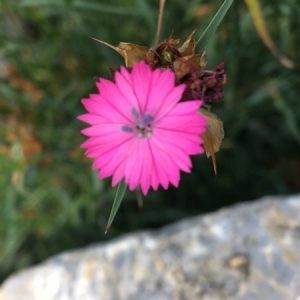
(246, 252)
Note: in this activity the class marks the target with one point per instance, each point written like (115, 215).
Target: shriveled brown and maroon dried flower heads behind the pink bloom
(189, 67)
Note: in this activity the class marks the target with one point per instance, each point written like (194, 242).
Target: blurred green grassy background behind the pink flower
(50, 198)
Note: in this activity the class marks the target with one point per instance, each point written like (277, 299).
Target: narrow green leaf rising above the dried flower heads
(214, 24)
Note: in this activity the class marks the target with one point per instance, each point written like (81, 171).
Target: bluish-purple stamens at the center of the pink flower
(143, 125)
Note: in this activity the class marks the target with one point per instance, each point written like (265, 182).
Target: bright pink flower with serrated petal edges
(139, 131)
